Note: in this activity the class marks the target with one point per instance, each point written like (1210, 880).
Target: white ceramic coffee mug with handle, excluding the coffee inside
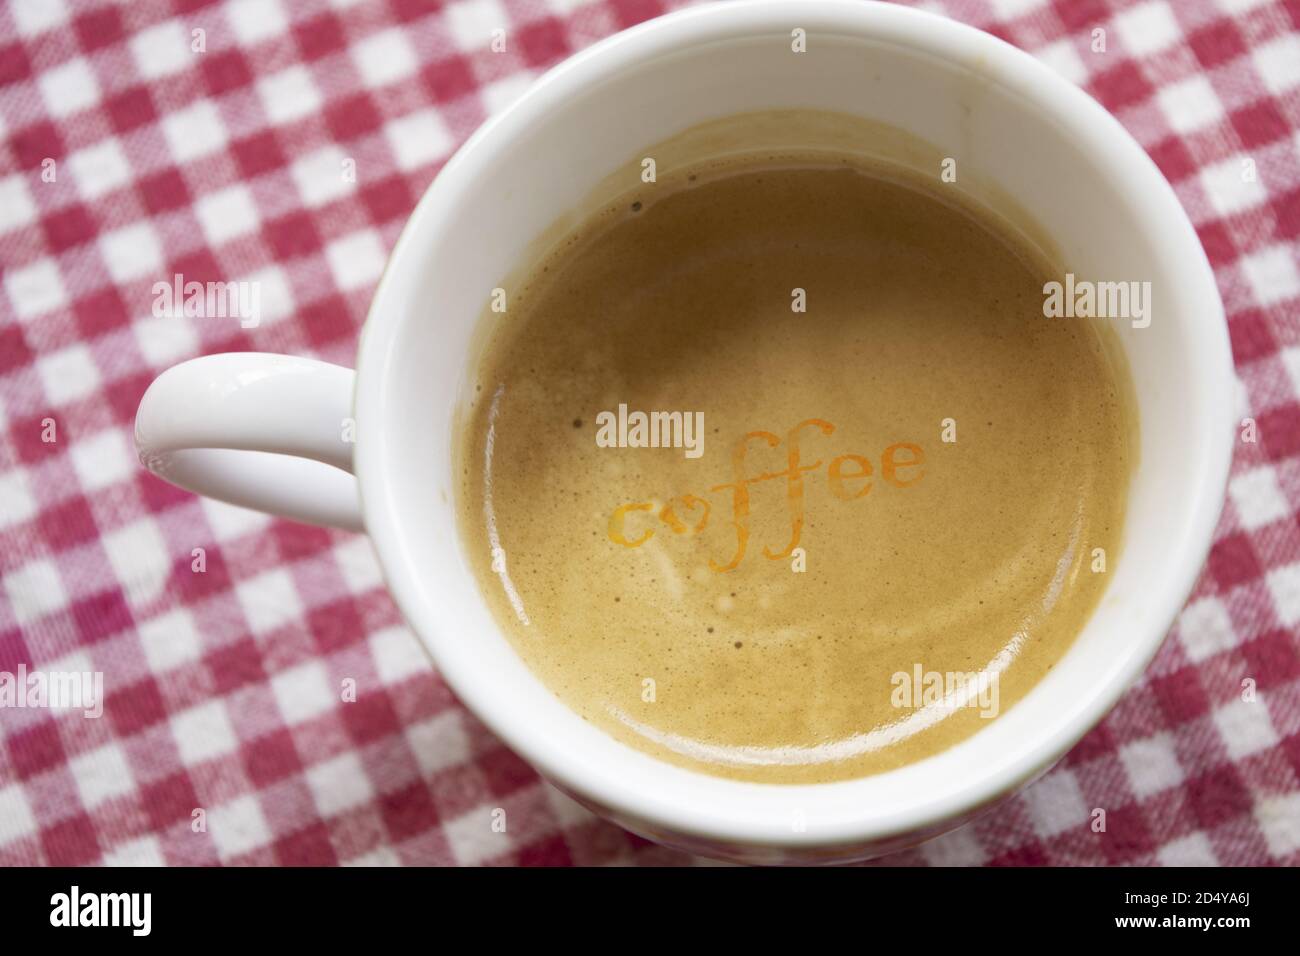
(268, 431)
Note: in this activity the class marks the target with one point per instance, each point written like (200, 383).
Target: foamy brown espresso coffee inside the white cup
(775, 469)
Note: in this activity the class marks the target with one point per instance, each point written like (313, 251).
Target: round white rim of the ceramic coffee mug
(931, 34)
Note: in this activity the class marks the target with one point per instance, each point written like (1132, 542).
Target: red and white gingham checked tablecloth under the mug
(223, 687)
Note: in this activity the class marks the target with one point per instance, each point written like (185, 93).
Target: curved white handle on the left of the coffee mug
(262, 431)
